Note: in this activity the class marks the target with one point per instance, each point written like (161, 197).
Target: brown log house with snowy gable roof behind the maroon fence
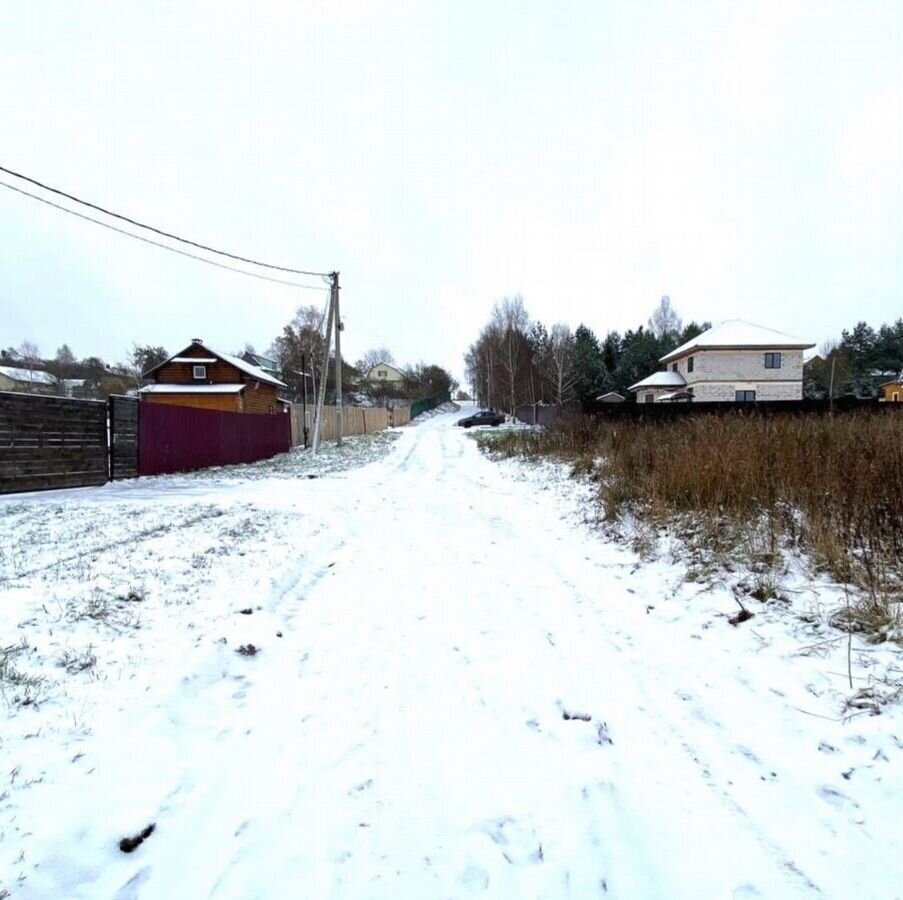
(206, 379)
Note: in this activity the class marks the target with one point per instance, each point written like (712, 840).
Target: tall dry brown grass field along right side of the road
(830, 486)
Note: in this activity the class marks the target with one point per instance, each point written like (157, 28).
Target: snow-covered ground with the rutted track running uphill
(418, 674)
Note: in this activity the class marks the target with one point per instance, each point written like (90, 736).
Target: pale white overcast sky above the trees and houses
(744, 158)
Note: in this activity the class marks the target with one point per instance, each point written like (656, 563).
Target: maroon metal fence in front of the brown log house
(179, 438)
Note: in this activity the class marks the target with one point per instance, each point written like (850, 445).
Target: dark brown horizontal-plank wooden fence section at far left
(51, 442)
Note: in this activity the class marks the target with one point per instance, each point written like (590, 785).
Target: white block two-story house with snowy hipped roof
(734, 361)
